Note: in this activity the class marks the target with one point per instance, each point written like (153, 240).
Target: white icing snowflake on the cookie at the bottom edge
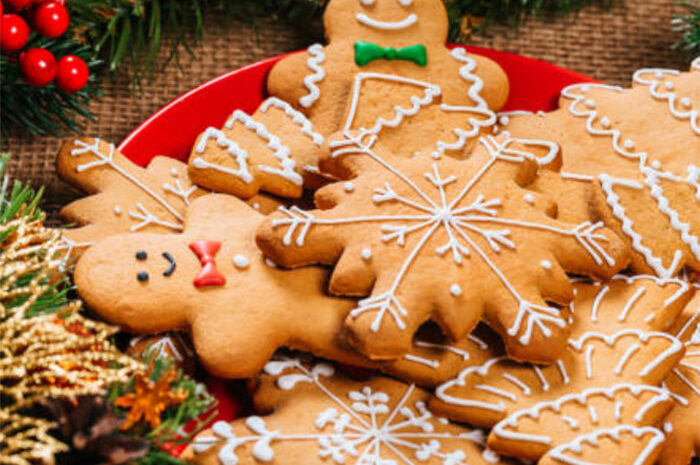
(360, 429)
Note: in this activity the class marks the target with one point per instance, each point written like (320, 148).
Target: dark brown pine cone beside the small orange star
(91, 429)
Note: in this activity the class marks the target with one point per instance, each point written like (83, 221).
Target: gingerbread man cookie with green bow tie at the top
(387, 60)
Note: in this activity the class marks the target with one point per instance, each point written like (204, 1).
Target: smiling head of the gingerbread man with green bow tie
(390, 22)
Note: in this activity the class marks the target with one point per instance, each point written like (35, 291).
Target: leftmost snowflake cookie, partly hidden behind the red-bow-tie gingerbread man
(125, 197)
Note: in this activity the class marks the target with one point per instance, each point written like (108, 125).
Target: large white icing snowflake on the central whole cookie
(462, 221)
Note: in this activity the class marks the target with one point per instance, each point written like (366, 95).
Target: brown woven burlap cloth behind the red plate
(607, 44)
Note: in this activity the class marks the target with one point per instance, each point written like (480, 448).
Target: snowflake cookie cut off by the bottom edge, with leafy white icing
(320, 417)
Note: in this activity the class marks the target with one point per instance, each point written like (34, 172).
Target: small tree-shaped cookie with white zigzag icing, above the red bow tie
(274, 150)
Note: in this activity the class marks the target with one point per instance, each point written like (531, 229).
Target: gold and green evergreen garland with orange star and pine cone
(67, 394)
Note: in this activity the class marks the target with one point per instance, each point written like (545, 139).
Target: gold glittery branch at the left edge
(44, 352)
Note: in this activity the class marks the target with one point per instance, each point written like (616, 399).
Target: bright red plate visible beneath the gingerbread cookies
(534, 85)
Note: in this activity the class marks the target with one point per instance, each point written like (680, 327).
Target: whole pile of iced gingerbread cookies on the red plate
(519, 286)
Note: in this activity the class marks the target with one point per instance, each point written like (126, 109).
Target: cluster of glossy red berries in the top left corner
(39, 66)
